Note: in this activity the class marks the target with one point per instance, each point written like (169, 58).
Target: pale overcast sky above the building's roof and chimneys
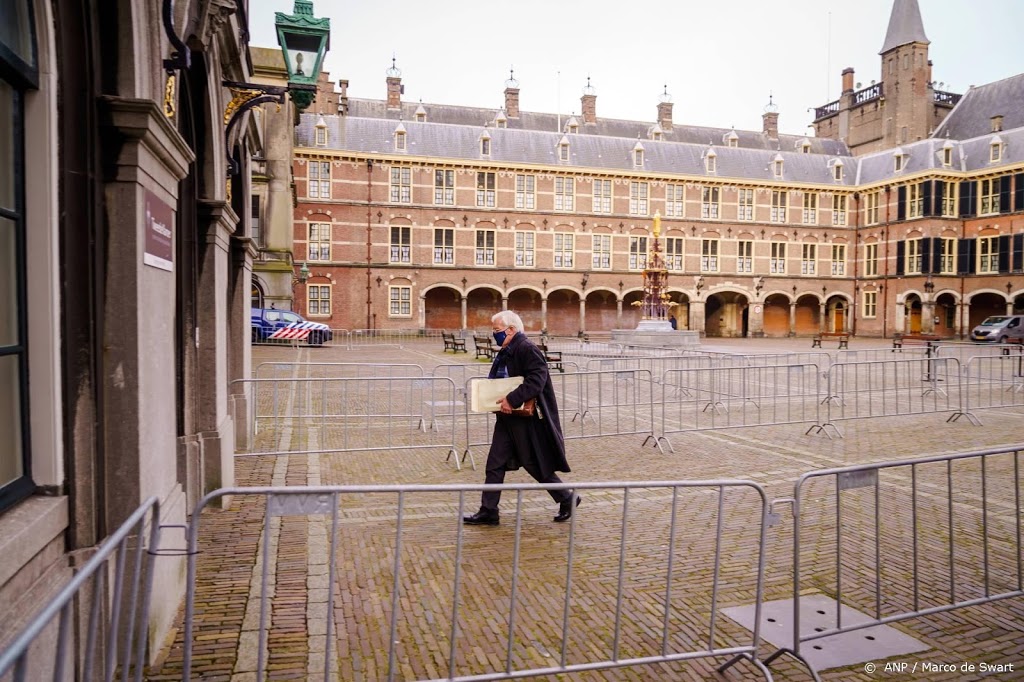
(720, 60)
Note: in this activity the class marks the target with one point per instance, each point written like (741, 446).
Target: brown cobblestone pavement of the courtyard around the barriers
(984, 526)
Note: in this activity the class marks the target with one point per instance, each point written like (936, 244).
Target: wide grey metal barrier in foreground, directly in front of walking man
(412, 557)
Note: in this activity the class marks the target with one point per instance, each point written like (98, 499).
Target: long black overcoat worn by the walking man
(542, 434)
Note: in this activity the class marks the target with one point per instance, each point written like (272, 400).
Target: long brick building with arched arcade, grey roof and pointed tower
(416, 216)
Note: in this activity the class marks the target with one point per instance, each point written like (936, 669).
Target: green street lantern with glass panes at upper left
(305, 40)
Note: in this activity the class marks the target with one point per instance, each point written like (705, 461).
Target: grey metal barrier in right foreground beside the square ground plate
(864, 526)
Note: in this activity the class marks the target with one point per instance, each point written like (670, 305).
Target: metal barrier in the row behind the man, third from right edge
(721, 398)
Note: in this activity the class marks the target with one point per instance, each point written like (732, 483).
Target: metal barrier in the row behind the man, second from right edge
(890, 389)
